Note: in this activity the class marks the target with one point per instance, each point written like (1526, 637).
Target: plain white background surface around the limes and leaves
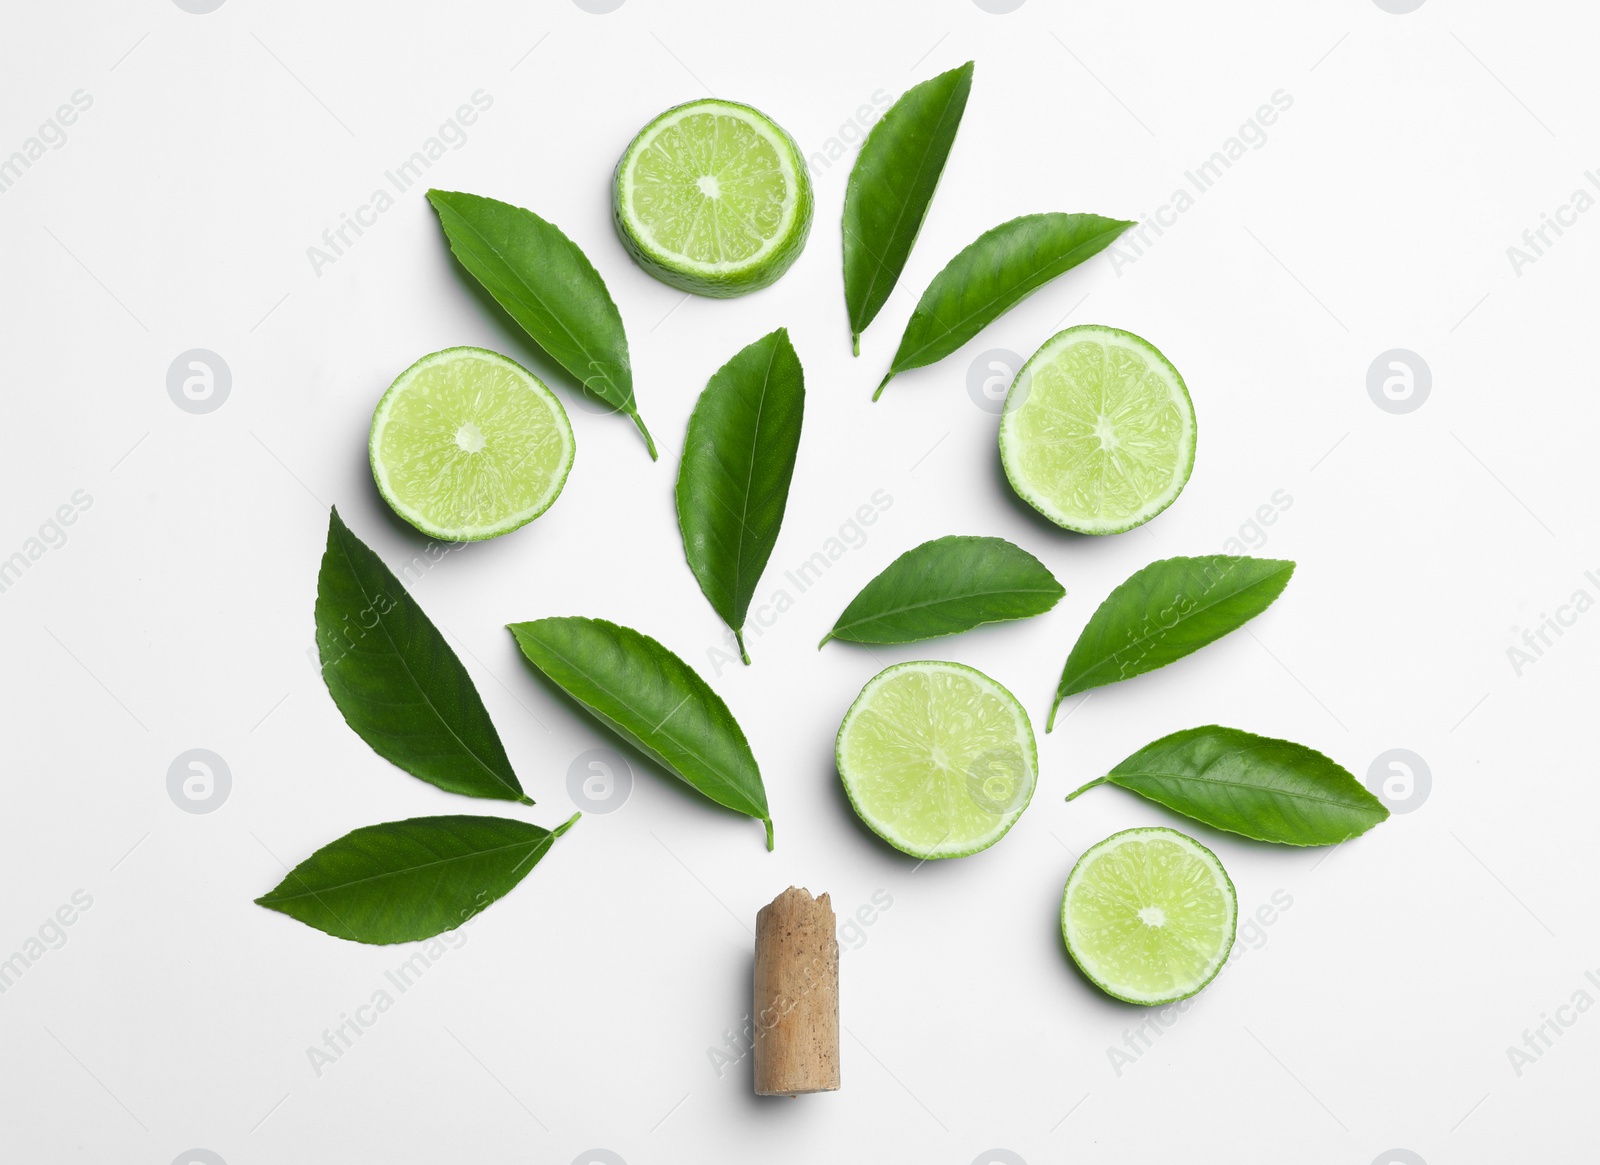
(1374, 1014)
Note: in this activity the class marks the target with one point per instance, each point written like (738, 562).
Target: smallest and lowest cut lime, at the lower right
(1150, 916)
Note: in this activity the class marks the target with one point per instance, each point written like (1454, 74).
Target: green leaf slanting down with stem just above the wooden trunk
(652, 700)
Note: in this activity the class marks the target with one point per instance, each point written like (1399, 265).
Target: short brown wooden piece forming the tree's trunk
(796, 996)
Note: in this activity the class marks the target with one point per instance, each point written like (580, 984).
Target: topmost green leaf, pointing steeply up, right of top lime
(890, 190)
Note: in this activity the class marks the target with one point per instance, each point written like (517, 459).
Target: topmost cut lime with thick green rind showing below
(713, 198)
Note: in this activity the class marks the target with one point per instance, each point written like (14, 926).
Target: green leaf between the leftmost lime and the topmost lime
(550, 287)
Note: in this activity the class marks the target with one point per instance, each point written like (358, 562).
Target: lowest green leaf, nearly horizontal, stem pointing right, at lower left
(407, 881)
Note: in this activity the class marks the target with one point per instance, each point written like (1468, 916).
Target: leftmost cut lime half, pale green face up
(470, 446)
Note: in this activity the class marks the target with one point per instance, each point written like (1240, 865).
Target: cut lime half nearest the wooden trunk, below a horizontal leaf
(938, 759)
